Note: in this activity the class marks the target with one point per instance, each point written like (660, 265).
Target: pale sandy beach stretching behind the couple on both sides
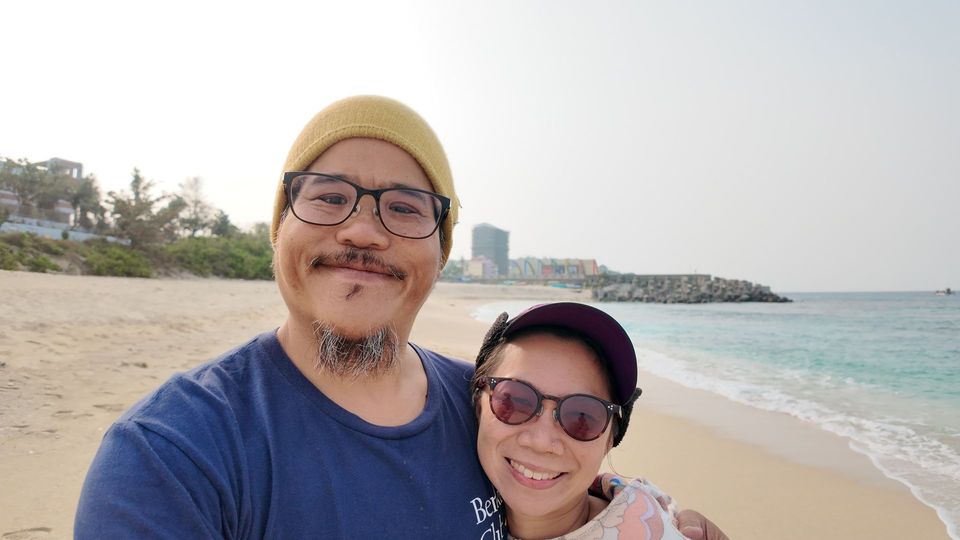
(76, 351)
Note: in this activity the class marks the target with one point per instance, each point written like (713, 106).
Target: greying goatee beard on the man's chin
(374, 354)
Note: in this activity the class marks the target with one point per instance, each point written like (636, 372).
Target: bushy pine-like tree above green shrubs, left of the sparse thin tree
(143, 218)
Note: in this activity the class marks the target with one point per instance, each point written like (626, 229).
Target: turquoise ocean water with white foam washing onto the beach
(879, 369)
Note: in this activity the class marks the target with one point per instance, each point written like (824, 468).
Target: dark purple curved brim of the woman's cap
(615, 346)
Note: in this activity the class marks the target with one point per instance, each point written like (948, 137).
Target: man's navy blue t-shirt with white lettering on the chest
(246, 447)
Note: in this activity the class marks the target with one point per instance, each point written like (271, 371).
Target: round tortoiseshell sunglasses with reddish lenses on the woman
(582, 416)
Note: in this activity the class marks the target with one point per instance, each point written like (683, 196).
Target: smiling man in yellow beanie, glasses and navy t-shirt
(334, 425)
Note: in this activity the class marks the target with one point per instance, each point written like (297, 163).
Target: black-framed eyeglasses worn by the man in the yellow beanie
(323, 199)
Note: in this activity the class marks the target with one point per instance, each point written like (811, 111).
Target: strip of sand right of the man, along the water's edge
(758, 474)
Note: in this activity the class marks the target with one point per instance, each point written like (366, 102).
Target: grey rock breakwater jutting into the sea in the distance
(678, 289)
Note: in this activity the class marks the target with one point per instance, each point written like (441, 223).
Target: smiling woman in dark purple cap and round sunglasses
(553, 389)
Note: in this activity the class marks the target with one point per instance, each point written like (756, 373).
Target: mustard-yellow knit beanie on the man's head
(373, 117)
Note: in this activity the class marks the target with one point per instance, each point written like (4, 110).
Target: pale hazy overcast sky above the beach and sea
(809, 146)
